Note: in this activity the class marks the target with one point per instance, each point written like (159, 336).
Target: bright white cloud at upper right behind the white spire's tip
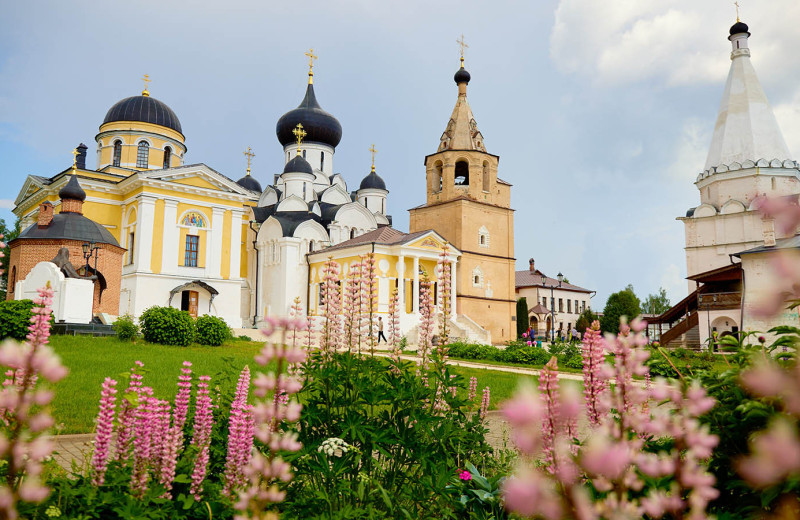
(679, 42)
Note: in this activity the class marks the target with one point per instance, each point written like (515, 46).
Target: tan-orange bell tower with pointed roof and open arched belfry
(468, 205)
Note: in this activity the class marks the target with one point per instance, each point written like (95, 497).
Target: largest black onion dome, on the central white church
(320, 126)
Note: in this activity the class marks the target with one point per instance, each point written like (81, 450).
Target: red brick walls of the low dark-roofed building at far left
(25, 254)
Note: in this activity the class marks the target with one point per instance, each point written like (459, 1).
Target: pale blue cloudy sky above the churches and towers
(601, 112)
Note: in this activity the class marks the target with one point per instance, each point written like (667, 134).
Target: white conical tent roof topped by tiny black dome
(746, 127)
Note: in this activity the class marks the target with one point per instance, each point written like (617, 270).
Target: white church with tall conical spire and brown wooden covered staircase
(729, 243)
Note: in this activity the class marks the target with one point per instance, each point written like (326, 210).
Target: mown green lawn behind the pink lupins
(91, 360)
